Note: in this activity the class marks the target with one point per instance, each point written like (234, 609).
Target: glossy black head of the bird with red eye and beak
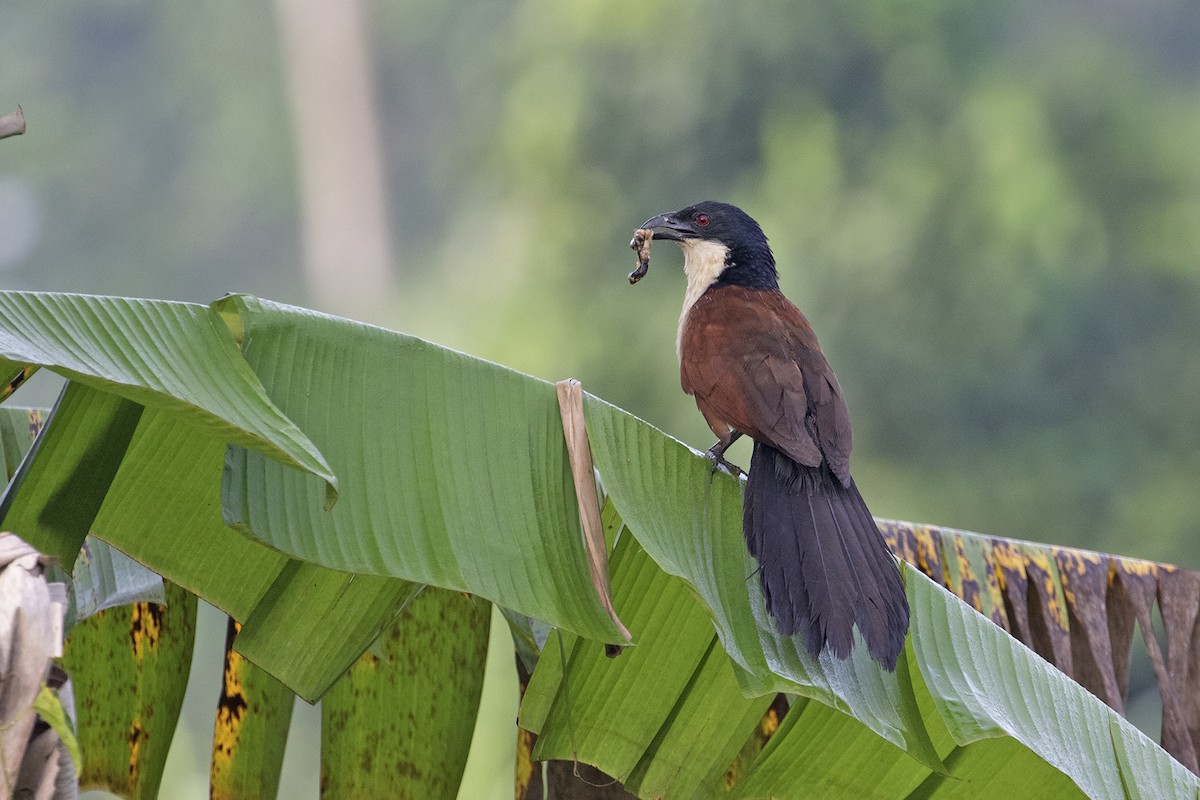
(710, 230)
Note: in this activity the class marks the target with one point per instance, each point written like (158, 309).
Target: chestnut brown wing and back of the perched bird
(752, 360)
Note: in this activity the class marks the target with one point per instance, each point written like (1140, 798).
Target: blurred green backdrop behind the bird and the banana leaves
(989, 212)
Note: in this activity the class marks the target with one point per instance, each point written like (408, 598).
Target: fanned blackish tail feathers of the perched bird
(825, 567)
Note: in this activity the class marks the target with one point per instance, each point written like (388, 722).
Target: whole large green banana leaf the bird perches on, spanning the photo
(453, 472)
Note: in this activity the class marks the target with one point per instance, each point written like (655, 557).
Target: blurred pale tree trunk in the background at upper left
(339, 154)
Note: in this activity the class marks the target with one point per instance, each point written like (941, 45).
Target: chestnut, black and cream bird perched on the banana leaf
(753, 364)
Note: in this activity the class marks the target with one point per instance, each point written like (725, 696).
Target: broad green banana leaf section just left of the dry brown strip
(453, 470)
